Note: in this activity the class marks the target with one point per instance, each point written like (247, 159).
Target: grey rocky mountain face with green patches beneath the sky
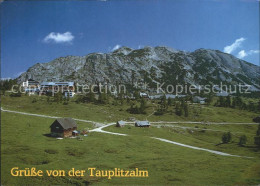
(150, 64)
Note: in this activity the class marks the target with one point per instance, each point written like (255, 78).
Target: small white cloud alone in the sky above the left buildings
(66, 37)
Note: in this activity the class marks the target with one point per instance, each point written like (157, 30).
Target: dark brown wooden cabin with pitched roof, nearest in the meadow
(63, 127)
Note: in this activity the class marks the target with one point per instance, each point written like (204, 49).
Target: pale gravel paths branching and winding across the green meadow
(102, 126)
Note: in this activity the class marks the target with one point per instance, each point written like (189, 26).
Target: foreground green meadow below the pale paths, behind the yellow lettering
(25, 145)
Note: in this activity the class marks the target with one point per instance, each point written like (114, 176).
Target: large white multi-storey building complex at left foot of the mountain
(34, 87)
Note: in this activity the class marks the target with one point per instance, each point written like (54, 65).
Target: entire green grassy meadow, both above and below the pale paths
(25, 144)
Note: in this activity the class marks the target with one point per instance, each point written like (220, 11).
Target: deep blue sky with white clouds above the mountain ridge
(35, 32)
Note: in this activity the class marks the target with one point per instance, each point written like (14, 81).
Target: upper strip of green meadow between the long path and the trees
(111, 112)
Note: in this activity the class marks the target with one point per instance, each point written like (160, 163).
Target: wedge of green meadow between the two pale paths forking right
(200, 136)
